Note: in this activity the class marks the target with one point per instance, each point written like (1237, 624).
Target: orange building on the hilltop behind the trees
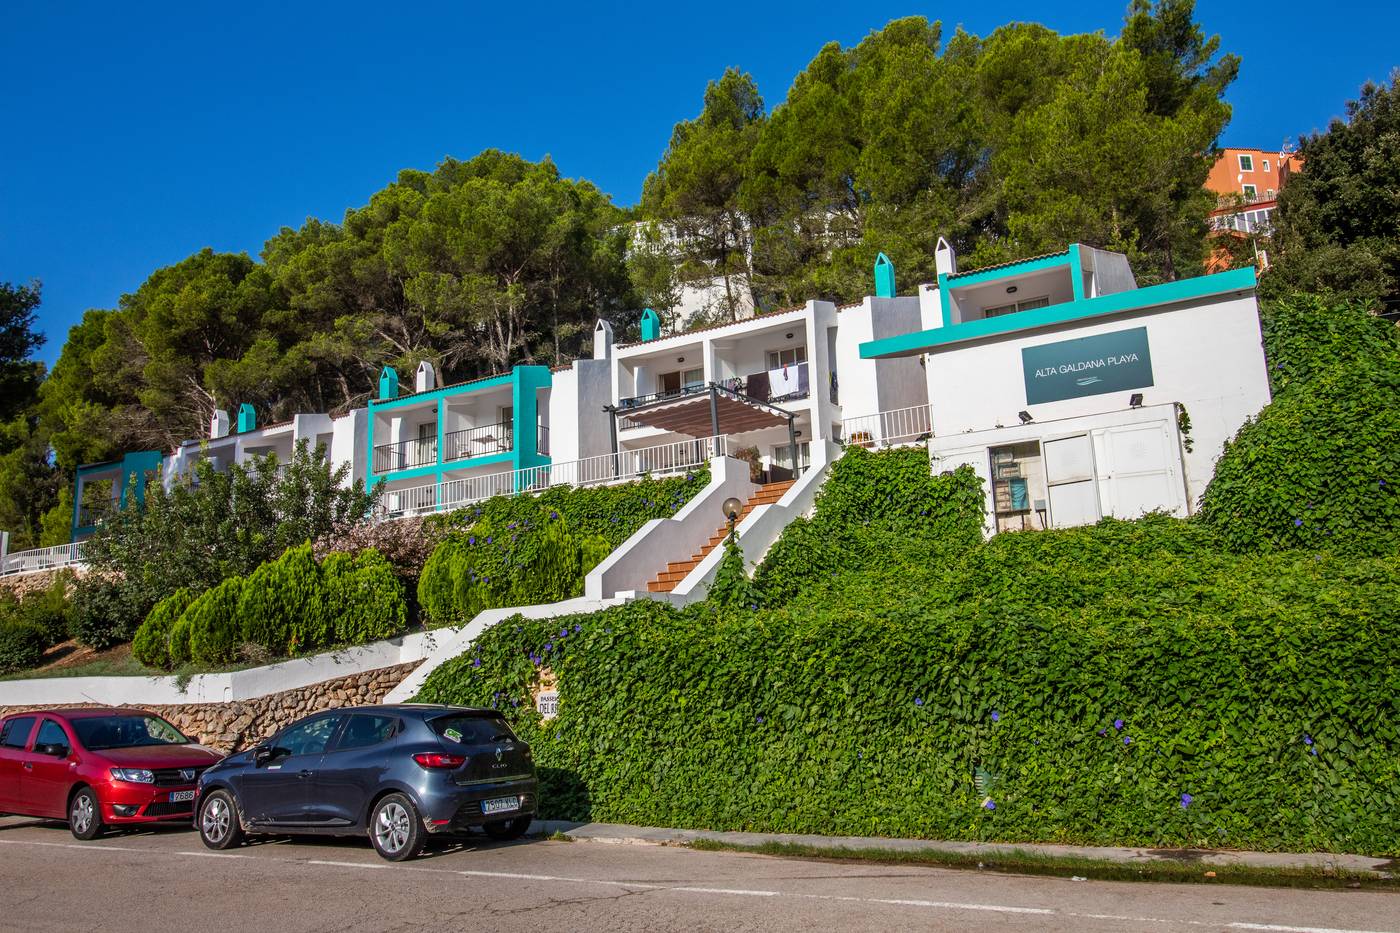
(1247, 184)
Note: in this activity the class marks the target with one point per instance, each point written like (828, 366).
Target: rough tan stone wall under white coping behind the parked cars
(239, 725)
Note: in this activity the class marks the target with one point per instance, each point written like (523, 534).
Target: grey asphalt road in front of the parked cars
(166, 879)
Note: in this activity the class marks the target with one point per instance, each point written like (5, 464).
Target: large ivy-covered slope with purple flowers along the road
(1126, 684)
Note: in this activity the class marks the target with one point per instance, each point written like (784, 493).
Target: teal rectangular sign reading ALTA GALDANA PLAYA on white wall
(1087, 366)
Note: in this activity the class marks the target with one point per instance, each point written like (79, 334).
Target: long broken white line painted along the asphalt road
(519, 876)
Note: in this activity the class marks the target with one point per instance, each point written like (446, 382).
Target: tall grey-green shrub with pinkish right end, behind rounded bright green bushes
(216, 526)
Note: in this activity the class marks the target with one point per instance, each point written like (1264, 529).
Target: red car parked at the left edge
(99, 768)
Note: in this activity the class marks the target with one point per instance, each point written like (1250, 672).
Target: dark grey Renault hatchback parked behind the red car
(397, 773)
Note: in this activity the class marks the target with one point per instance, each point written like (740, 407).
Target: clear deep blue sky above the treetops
(138, 134)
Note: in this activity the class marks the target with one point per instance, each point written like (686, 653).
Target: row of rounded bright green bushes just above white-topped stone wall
(286, 607)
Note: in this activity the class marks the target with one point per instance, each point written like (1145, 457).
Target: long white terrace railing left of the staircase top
(591, 471)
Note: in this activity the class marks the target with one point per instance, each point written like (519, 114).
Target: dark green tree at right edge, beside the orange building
(1338, 226)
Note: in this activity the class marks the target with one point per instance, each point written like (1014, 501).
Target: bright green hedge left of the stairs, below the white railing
(531, 550)
